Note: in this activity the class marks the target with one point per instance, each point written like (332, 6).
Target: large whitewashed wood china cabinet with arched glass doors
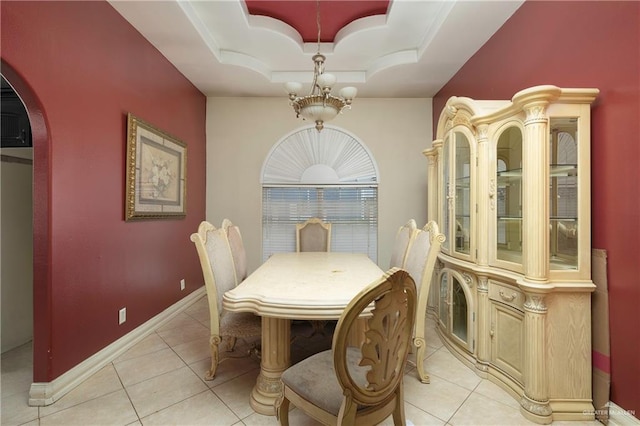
(509, 182)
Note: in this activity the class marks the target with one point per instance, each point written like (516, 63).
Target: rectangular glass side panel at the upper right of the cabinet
(563, 193)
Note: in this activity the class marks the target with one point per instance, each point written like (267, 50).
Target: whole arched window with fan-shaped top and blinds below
(328, 174)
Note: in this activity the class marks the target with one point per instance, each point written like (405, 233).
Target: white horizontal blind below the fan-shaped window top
(352, 211)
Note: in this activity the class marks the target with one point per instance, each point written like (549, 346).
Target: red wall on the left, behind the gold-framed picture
(80, 68)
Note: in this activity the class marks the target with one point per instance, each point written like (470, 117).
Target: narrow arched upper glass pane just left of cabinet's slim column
(462, 225)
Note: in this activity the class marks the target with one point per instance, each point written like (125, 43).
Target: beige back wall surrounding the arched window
(242, 131)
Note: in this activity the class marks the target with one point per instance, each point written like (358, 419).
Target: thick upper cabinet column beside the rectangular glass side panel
(535, 202)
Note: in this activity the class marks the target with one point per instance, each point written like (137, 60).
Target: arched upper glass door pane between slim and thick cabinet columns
(508, 196)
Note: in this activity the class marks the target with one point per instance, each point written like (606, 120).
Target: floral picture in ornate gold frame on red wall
(156, 173)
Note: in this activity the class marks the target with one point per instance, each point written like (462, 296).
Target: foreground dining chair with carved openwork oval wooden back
(358, 386)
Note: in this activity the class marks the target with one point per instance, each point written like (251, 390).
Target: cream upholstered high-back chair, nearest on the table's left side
(219, 274)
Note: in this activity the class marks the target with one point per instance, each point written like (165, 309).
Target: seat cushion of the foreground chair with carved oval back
(314, 379)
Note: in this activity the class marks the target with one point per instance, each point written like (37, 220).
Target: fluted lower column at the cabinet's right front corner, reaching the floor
(535, 401)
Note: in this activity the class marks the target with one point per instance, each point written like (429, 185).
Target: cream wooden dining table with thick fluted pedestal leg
(288, 286)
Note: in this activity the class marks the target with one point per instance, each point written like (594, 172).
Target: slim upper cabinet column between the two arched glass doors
(482, 214)
